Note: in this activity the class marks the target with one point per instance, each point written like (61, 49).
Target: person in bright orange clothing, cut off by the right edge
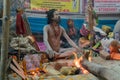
(115, 50)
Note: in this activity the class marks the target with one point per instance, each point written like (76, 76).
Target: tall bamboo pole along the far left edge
(5, 38)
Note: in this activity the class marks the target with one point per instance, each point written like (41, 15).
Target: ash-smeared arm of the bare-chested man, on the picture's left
(45, 38)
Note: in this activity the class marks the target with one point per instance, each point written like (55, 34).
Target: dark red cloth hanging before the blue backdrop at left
(20, 26)
